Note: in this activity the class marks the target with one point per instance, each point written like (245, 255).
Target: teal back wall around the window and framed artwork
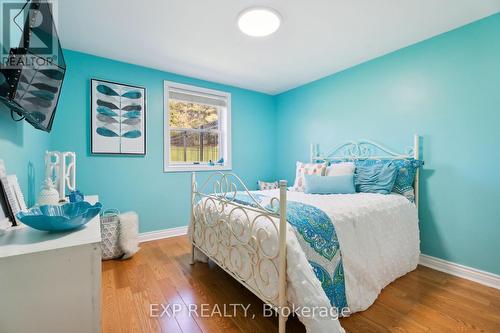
(139, 183)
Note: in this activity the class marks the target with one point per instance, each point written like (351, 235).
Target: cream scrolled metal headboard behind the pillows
(368, 150)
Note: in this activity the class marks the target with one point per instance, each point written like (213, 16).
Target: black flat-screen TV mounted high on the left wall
(31, 78)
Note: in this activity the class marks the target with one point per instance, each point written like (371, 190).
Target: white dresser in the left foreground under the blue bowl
(51, 282)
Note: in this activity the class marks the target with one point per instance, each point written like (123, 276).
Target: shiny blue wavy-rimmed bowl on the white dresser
(60, 218)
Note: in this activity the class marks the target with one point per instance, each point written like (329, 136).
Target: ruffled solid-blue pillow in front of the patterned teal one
(376, 178)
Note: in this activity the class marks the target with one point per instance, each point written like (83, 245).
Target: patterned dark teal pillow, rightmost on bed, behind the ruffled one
(405, 178)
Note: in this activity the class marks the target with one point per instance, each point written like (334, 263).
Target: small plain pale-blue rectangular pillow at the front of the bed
(315, 184)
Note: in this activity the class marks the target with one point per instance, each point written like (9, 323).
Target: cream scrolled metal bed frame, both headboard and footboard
(217, 230)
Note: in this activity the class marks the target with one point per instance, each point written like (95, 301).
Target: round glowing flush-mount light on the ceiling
(259, 21)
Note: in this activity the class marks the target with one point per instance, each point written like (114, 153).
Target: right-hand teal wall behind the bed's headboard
(447, 89)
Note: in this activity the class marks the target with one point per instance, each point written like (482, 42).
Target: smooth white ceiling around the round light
(200, 38)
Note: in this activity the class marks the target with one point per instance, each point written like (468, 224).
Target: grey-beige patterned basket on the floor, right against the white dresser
(110, 230)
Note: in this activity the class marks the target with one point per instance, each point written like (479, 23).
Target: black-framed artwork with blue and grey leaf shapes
(118, 118)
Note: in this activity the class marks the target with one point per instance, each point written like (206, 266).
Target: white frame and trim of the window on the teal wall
(224, 121)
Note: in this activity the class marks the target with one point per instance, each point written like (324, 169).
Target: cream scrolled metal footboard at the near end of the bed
(239, 237)
